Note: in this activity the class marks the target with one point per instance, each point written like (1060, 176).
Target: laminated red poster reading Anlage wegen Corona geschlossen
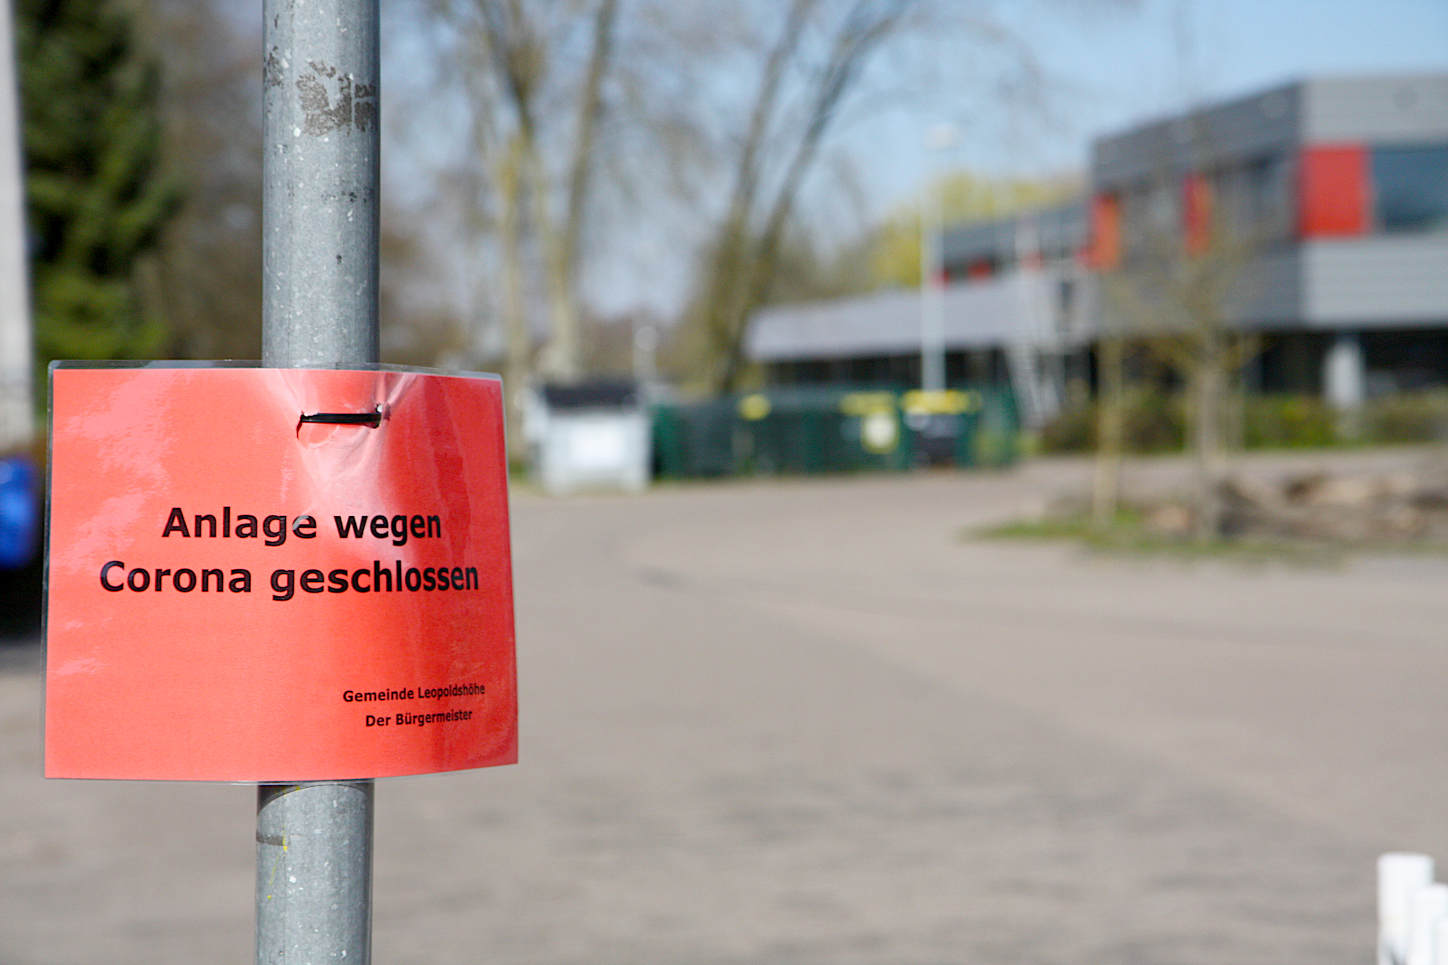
(277, 576)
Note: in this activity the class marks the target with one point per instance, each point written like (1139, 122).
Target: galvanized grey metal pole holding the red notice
(319, 311)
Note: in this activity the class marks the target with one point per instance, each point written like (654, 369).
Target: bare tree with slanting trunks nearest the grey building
(816, 67)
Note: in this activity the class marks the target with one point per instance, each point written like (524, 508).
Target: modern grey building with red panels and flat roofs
(1333, 193)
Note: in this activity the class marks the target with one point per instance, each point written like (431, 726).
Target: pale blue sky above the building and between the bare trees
(1110, 64)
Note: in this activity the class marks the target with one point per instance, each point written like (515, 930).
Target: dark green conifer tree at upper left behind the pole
(95, 193)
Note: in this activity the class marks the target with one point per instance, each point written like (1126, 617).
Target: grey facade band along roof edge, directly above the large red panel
(1379, 111)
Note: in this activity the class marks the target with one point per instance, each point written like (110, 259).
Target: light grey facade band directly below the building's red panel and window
(1376, 283)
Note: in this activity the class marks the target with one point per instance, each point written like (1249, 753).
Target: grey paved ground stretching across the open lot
(804, 722)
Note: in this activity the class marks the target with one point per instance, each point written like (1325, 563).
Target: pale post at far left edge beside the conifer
(17, 359)
